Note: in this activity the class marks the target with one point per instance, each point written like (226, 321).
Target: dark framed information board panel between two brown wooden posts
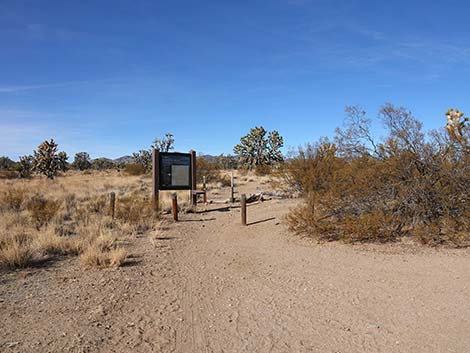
(175, 171)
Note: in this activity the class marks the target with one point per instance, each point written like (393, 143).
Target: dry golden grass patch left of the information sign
(70, 216)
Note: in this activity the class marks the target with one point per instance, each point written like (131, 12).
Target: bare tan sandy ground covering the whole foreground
(209, 284)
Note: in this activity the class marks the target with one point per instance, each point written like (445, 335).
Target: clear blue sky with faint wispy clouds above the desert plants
(108, 76)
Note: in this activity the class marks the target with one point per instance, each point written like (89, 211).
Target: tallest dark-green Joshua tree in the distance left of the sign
(48, 161)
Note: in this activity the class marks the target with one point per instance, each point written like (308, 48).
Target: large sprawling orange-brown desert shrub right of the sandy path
(359, 189)
